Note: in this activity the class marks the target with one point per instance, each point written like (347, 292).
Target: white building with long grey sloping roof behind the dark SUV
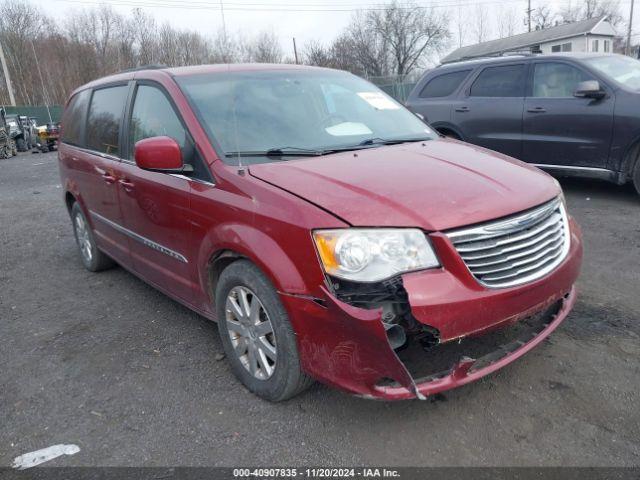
(592, 35)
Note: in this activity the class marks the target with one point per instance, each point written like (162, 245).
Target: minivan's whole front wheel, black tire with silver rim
(286, 379)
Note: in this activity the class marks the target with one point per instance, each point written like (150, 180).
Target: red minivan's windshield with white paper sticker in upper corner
(297, 111)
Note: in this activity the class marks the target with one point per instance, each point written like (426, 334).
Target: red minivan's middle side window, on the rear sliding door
(105, 116)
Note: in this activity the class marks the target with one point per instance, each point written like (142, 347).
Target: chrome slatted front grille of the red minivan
(517, 249)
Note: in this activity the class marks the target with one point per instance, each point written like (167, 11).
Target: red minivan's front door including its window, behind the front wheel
(155, 205)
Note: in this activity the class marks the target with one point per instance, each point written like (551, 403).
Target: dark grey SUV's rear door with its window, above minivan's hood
(490, 114)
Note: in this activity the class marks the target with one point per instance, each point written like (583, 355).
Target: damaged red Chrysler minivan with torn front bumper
(330, 232)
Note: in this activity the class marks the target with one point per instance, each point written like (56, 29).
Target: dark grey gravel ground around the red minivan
(110, 364)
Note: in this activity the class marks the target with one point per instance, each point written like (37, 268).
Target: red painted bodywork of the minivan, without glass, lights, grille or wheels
(267, 215)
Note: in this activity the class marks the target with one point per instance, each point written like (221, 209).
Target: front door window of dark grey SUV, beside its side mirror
(556, 79)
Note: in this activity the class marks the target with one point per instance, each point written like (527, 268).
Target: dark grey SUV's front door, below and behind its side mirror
(560, 129)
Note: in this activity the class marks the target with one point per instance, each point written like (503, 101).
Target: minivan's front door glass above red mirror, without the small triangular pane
(153, 116)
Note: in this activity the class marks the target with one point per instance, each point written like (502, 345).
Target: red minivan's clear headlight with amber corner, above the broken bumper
(369, 255)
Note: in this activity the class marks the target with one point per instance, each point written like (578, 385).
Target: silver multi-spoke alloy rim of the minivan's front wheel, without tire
(251, 332)
